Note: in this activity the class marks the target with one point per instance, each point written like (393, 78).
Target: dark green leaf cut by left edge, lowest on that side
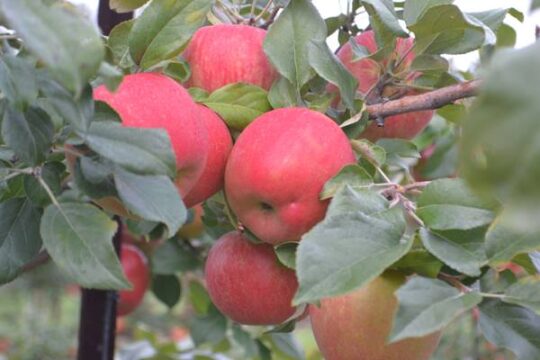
(20, 239)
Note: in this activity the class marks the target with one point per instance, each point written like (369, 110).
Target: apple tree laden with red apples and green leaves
(375, 189)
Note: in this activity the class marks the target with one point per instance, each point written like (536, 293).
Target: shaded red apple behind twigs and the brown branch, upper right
(368, 72)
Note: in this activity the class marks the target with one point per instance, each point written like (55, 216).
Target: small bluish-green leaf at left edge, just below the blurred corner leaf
(18, 81)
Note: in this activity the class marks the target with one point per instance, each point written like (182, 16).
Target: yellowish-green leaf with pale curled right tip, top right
(444, 29)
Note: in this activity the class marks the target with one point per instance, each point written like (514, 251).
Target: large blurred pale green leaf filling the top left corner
(55, 35)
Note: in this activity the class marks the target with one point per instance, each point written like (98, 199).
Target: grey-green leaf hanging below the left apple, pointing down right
(152, 197)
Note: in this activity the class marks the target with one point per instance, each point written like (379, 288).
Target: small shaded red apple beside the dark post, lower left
(135, 267)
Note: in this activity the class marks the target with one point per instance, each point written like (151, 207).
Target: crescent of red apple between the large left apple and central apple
(220, 145)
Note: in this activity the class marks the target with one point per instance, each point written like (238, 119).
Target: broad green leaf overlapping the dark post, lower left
(78, 237)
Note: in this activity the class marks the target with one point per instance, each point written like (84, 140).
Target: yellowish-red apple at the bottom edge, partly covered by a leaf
(355, 326)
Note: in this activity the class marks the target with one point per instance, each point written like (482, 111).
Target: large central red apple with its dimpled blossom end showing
(277, 169)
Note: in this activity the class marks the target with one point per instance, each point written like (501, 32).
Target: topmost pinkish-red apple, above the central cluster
(226, 54)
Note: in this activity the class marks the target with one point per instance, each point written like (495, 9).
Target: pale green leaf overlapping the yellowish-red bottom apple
(427, 305)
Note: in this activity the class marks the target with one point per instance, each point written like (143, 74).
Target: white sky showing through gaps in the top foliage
(328, 8)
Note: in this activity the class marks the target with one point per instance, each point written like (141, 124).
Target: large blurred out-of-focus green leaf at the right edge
(505, 113)
